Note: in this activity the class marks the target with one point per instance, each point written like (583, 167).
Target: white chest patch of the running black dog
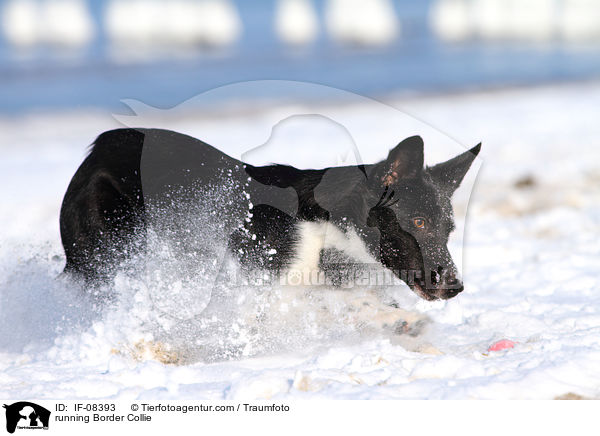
(313, 237)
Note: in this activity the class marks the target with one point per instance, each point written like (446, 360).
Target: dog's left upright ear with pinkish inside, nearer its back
(405, 161)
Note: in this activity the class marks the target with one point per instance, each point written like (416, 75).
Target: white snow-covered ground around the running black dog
(530, 264)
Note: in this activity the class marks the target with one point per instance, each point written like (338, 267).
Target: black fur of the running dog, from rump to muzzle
(399, 210)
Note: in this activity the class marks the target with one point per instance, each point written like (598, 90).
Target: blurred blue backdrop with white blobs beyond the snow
(84, 53)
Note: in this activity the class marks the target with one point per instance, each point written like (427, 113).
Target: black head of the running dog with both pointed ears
(414, 217)
